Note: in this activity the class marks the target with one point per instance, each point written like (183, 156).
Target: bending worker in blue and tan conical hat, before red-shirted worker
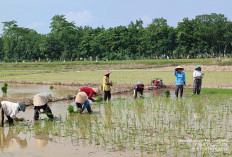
(82, 102)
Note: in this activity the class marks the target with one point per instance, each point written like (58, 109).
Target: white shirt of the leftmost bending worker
(10, 108)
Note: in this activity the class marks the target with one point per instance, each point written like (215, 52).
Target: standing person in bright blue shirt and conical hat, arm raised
(180, 81)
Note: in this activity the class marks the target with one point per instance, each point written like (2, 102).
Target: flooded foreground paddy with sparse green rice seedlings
(155, 125)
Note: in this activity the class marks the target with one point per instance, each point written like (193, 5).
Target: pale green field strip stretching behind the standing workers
(211, 78)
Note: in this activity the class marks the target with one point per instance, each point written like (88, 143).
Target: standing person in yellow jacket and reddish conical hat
(106, 85)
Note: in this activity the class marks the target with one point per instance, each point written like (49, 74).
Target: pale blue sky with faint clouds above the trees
(37, 14)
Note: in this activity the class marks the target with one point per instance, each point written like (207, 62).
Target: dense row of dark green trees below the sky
(203, 36)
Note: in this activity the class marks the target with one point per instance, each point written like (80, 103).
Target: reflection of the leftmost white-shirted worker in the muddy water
(11, 140)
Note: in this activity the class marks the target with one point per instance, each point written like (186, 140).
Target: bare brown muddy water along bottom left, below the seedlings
(13, 145)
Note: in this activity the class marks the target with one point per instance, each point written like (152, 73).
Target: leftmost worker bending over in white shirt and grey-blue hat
(11, 109)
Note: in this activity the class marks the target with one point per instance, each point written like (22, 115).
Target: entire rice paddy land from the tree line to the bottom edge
(154, 125)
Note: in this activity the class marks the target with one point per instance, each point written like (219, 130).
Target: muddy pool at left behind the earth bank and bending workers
(28, 91)
